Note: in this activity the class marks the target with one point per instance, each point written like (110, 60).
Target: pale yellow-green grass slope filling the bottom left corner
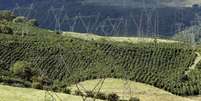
(8, 93)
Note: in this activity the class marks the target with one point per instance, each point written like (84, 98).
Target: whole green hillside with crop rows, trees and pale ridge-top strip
(34, 57)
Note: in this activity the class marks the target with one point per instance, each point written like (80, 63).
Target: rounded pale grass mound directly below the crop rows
(126, 89)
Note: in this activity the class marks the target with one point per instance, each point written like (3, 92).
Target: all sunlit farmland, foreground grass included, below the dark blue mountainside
(151, 69)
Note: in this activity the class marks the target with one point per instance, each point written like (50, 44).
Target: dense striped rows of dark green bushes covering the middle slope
(73, 60)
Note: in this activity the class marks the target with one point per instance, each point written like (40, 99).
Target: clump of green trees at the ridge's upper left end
(9, 23)
